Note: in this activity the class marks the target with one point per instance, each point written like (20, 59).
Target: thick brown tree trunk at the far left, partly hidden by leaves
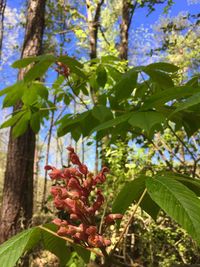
(17, 206)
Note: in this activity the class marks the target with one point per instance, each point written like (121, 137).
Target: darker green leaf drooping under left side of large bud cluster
(55, 244)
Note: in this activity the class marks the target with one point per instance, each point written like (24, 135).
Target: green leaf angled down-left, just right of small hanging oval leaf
(126, 84)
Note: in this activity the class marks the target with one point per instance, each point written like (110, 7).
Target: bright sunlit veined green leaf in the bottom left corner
(14, 248)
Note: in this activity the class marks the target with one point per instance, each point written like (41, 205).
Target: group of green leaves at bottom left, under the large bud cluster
(13, 249)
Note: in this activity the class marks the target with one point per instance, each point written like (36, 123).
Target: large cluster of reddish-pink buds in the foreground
(72, 194)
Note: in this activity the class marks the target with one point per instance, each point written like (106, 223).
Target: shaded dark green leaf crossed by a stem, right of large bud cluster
(131, 192)
